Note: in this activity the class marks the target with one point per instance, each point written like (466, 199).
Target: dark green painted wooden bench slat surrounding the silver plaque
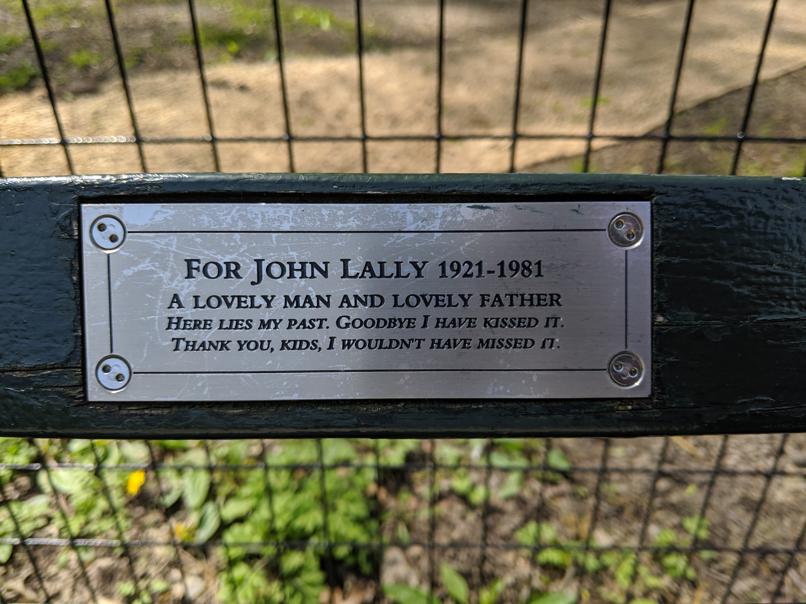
(728, 326)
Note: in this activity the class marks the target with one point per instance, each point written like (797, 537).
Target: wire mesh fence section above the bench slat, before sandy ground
(510, 86)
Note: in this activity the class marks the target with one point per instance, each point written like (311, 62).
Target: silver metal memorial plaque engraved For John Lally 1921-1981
(275, 301)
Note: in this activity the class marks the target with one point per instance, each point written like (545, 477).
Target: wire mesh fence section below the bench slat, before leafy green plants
(490, 520)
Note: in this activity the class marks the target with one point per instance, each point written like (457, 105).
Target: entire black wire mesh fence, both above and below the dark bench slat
(431, 86)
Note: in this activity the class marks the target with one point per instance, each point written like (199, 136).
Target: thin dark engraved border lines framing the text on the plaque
(364, 232)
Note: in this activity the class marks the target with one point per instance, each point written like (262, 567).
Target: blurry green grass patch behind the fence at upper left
(229, 29)
